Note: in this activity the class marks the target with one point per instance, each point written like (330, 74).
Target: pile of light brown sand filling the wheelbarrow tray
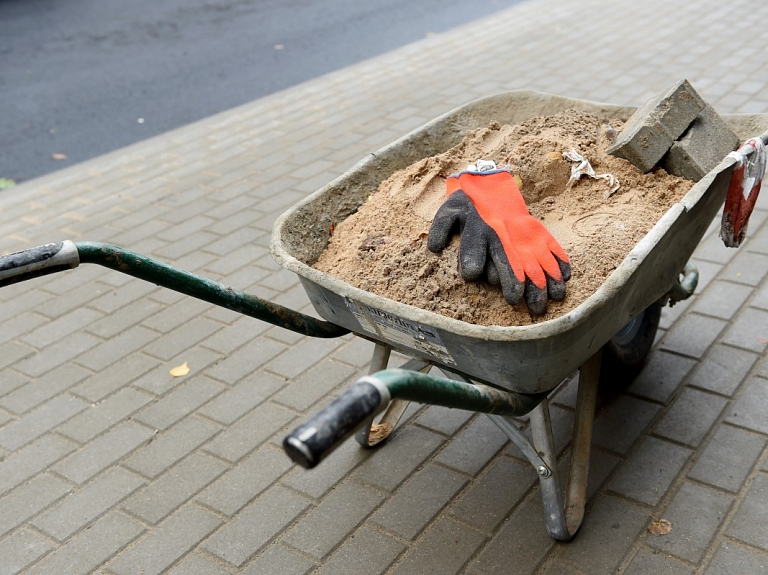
(382, 248)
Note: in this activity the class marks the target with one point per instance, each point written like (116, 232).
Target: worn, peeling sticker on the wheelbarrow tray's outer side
(395, 329)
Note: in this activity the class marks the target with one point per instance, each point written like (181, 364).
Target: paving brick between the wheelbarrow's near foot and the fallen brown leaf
(605, 537)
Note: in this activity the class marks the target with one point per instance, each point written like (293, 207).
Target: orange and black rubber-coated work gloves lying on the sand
(493, 221)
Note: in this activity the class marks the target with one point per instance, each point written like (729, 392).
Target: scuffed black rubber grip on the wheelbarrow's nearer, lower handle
(309, 443)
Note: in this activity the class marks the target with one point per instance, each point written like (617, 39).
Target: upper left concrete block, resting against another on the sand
(655, 126)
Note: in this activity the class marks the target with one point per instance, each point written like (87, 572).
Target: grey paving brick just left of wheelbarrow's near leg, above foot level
(492, 496)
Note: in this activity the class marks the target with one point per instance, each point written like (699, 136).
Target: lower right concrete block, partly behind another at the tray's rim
(703, 145)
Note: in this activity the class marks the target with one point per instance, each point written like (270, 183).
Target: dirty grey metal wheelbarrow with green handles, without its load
(504, 372)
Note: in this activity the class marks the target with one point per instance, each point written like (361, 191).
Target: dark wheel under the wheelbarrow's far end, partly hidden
(625, 354)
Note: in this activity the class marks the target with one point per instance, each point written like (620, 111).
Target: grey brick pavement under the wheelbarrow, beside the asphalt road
(109, 465)
